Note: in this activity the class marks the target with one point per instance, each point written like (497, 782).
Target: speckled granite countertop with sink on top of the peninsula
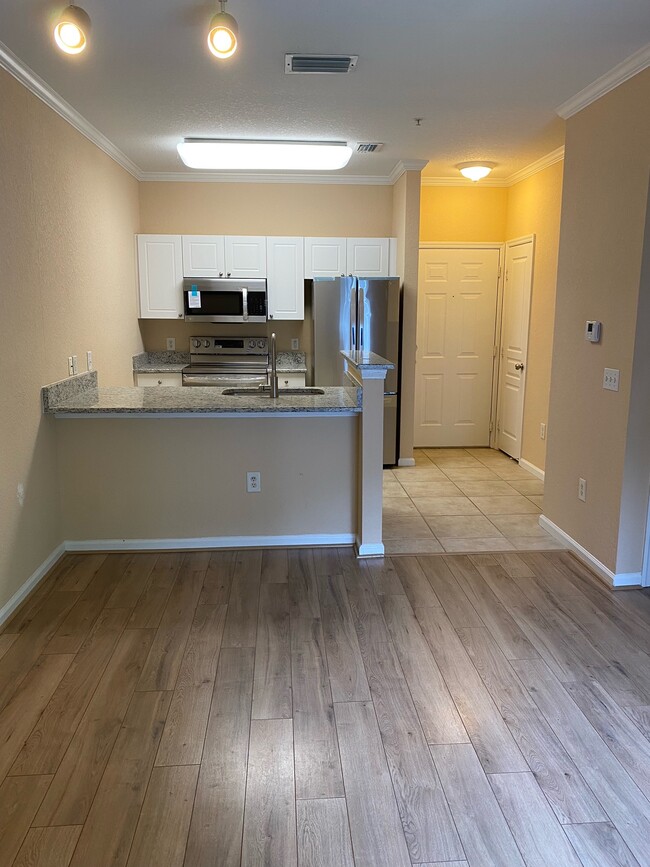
(81, 396)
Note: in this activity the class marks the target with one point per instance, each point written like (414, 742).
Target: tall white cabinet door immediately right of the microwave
(286, 278)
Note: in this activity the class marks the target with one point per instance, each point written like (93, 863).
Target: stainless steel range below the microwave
(227, 362)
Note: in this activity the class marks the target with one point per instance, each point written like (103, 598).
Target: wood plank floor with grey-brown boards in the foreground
(302, 708)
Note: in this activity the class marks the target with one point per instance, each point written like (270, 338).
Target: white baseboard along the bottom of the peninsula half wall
(202, 542)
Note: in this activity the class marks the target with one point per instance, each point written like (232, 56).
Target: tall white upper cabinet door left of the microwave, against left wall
(160, 270)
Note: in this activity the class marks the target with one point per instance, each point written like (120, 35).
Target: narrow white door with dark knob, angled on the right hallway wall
(514, 344)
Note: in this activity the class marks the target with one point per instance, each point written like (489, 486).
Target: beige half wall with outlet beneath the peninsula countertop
(147, 485)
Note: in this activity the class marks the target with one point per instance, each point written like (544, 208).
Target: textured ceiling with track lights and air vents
(485, 75)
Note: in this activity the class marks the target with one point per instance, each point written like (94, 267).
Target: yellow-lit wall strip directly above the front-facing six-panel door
(473, 213)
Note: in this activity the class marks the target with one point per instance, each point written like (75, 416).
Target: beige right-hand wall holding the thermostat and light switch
(607, 166)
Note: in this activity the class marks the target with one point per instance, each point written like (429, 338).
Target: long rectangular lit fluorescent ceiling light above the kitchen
(249, 155)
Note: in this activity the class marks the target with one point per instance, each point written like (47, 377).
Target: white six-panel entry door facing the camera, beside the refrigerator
(457, 303)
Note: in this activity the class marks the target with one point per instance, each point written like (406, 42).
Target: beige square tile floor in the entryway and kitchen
(468, 500)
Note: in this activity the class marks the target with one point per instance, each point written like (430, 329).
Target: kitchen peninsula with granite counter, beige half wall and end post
(166, 467)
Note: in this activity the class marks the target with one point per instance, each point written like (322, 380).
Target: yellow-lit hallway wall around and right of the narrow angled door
(534, 208)
